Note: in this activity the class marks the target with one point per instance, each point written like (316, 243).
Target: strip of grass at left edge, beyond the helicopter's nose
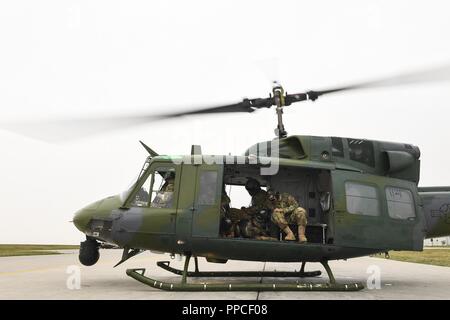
(7, 250)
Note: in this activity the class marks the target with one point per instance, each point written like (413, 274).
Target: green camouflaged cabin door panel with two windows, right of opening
(370, 225)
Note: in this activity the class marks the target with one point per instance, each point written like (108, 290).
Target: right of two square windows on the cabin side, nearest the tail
(400, 203)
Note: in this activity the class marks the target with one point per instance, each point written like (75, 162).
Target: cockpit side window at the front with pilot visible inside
(158, 189)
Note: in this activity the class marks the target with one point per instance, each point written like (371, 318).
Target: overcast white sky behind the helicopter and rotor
(74, 58)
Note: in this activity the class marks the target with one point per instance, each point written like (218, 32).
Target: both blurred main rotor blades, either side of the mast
(61, 130)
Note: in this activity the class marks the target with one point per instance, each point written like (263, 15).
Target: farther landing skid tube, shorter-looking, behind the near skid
(286, 274)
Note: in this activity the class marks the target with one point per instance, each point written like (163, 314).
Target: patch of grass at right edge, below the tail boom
(437, 257)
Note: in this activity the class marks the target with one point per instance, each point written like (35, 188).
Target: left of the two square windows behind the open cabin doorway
(361, 199)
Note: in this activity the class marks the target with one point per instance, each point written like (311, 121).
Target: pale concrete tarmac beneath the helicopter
(58, 276)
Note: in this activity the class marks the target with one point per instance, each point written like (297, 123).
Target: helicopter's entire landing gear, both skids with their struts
(138, 274)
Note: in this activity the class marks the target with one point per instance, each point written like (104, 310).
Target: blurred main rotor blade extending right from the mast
(438, 74)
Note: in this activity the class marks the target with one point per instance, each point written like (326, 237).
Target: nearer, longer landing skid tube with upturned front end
(138, 274)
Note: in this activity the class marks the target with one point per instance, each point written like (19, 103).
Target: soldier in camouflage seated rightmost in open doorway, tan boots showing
(287, 211)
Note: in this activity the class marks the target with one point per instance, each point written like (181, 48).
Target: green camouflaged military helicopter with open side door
(361, 197)
